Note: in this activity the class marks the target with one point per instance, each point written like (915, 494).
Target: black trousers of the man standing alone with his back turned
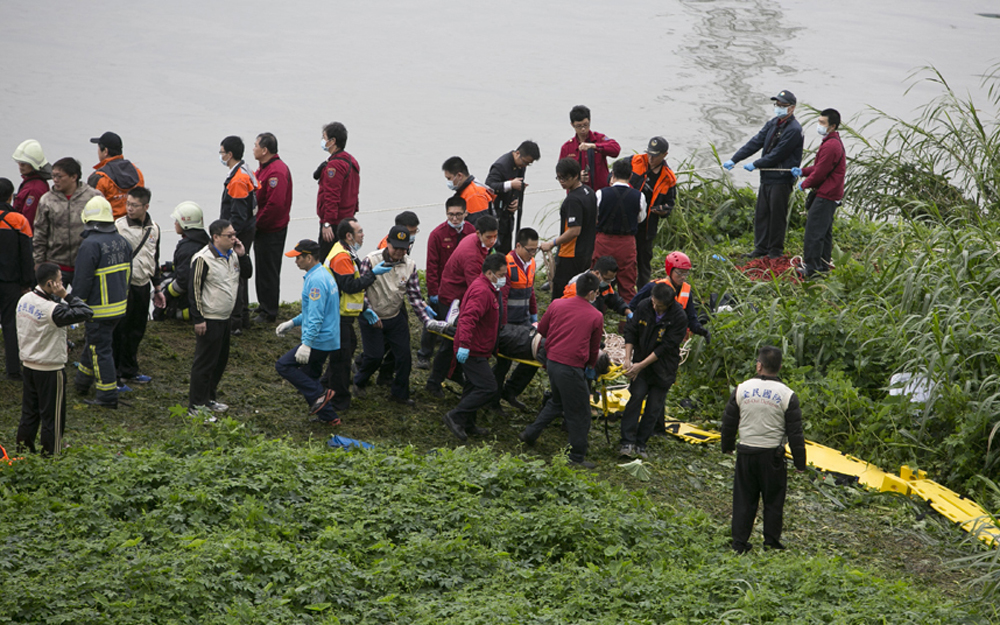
(760, 474)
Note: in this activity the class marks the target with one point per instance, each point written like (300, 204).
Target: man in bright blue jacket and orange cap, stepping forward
(320, 323)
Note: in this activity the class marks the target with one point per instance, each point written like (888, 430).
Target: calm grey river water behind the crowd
(417, 82)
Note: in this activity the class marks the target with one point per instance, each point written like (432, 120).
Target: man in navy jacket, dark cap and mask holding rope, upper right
(780, 145)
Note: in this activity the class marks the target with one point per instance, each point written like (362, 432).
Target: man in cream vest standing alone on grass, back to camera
(767, 415)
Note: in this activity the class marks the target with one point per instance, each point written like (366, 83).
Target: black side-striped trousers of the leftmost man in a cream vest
(43, 400)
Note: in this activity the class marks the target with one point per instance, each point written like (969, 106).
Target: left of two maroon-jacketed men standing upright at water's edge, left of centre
(274, 205)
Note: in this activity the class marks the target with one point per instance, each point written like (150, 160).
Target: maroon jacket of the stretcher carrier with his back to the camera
(573, 329)
